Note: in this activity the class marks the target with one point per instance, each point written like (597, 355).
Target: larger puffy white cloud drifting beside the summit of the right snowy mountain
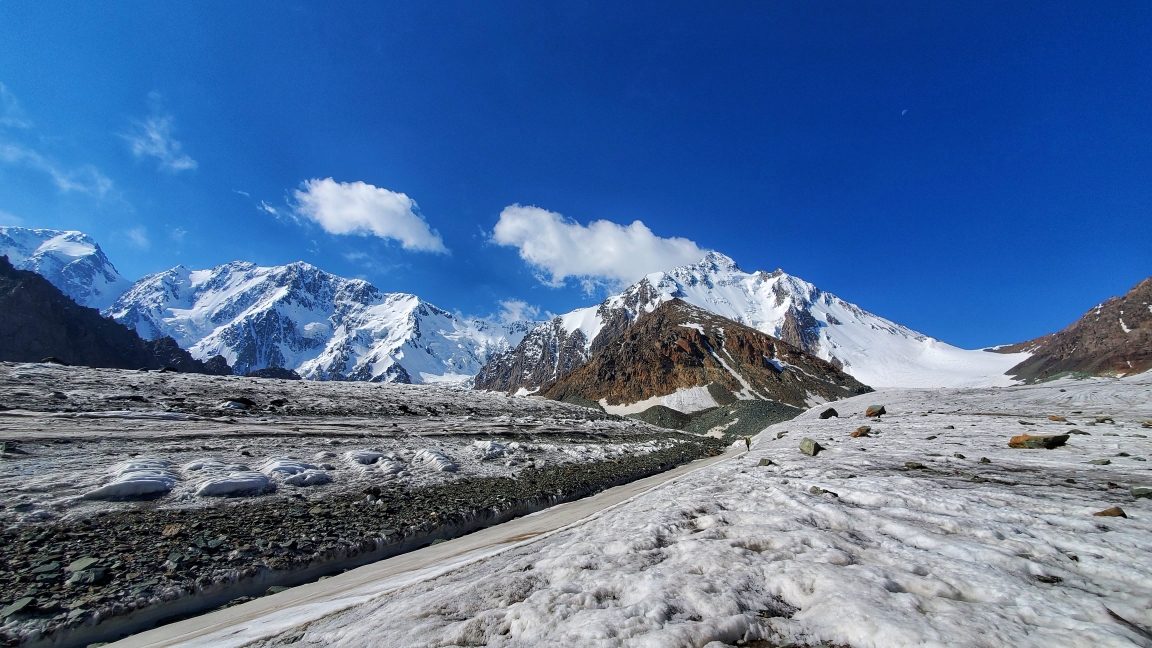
(603, 252)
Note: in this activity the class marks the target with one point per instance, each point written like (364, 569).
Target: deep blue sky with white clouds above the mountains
(979, 171)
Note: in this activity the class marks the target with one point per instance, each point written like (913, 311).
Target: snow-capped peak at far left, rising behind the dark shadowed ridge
(71, 261)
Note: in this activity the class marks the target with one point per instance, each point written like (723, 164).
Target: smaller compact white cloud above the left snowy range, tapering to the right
(358, 208)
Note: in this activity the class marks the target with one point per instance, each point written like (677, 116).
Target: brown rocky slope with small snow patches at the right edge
(1112, 340)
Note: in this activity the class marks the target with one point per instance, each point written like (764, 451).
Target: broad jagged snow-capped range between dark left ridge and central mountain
(322, 326)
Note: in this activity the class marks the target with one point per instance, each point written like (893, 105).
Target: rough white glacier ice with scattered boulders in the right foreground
(851, 547)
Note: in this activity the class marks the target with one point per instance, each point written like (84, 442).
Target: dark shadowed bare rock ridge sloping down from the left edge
(39, 321)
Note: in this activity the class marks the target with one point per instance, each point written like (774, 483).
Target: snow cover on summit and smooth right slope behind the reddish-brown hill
(875, 351)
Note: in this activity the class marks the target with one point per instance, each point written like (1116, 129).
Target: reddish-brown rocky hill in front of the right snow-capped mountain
(679, 345)
